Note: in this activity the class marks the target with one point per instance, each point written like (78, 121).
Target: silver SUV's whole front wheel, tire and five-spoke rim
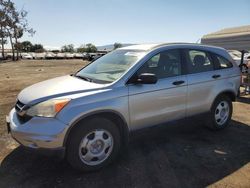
(93, 144)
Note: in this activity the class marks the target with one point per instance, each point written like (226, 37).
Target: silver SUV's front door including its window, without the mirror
(151, 104)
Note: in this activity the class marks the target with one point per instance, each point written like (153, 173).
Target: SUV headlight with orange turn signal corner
(47, 108)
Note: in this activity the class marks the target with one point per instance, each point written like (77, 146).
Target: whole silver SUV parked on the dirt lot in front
(87, 116)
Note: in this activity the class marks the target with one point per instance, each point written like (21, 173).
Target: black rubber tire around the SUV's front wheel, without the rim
(81, 131)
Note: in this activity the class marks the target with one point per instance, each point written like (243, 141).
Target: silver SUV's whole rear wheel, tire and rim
(220, 113)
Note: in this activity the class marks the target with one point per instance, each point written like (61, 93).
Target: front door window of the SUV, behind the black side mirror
(163, 65)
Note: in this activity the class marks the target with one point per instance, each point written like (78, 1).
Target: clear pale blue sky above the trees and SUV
(59, 22)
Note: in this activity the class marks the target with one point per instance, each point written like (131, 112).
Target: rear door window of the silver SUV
(198, 61)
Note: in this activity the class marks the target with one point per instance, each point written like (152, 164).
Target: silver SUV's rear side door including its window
(201, 79)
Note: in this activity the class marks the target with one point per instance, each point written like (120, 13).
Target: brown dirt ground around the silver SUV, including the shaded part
(180, 154)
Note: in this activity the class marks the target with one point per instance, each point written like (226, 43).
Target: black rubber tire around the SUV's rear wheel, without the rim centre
(216, 124)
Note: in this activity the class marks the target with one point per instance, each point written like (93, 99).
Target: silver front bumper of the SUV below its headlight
(38, 133)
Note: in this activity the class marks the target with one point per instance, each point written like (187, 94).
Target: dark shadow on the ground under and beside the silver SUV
(183, 154)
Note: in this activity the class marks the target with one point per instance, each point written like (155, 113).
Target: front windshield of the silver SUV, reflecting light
(110, 67)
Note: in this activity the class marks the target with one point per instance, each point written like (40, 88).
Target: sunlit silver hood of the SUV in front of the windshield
(56, 87)
